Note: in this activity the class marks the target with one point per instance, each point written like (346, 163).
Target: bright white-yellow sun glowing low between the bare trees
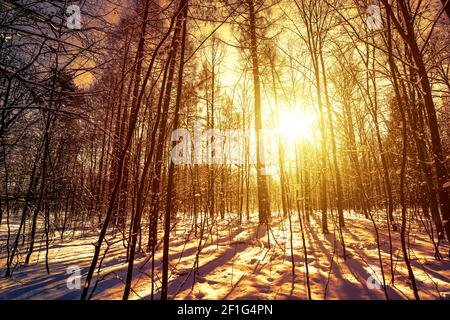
(296, 125)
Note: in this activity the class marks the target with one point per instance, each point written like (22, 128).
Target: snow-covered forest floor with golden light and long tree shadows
(237, 262)
